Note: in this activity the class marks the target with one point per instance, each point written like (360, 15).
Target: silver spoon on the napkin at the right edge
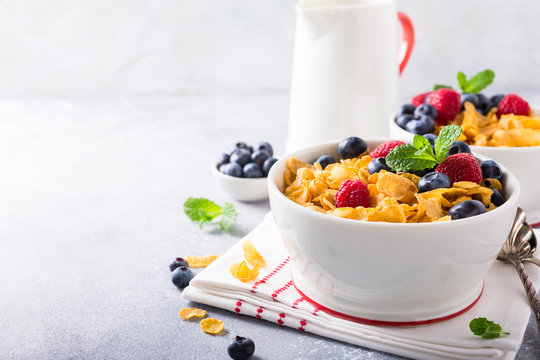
(516, 248)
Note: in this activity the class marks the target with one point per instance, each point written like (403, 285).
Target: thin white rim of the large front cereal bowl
(274, 191)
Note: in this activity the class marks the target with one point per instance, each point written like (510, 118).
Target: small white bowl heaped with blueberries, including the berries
(243, 172)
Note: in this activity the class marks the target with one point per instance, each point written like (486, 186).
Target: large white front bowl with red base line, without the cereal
(388, 273)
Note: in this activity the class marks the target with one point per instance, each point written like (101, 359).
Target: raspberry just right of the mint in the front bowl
(461, 167)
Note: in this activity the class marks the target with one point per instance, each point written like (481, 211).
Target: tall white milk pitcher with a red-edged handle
(345, 69)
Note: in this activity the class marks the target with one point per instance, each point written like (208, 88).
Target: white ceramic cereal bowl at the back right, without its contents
(523, 162)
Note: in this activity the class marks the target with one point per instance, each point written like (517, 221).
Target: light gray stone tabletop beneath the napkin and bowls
(91, 195)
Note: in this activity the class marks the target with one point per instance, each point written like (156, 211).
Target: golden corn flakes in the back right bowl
(509, 130)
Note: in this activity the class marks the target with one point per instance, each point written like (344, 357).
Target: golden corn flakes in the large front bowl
(393, 197)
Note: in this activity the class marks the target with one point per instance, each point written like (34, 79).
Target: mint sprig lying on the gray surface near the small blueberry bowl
(203, 211)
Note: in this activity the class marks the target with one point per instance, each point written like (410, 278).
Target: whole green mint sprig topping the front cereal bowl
(420, 155)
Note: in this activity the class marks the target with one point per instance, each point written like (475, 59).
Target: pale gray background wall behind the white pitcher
(178, 47)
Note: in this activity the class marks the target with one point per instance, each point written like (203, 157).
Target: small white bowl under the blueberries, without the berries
(242, 189)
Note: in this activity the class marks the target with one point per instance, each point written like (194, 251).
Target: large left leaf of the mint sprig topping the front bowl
(409, 158)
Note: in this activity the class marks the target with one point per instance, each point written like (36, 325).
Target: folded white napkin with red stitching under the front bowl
(272, 297)
